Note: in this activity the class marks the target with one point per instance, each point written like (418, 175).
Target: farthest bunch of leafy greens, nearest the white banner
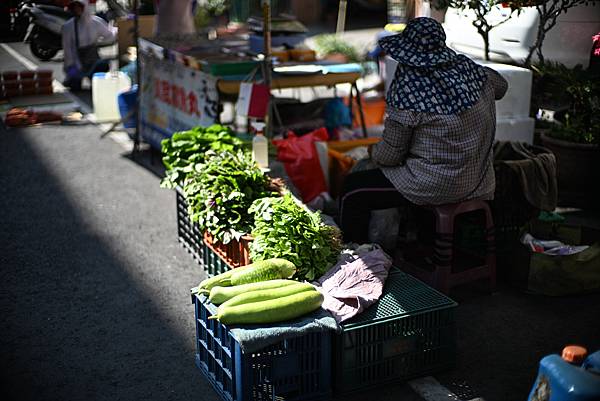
(185, 149)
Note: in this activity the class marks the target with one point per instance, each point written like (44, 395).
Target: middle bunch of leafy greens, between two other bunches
(220, 190)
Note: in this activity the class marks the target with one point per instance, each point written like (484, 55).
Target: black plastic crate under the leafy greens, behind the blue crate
(191, 238)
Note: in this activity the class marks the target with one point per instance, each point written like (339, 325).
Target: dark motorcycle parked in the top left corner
(45, 28)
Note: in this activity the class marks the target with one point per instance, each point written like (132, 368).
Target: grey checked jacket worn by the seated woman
(435, 159)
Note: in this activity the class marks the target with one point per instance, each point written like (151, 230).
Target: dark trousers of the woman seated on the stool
(363, 192)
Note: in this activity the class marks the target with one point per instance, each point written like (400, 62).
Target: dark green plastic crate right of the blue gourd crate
(409, 332)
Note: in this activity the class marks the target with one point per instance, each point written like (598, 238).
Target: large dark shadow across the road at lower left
(77, 323)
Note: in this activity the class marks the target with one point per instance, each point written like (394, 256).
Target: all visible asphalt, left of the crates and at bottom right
(94, 286)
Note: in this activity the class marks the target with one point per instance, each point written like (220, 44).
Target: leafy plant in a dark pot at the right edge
(574, 138)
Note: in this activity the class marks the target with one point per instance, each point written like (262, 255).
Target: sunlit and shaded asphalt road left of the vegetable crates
(94, 286)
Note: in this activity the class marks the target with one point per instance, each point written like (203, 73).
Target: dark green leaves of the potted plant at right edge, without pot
(579, 90)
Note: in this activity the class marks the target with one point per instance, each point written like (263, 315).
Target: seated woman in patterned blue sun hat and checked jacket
(438, 135)
